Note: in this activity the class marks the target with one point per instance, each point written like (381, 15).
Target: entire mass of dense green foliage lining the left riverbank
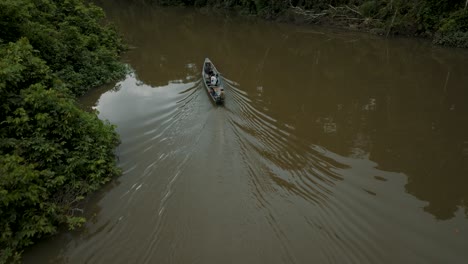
(52, 153)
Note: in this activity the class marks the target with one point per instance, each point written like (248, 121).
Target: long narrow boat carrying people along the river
(215, 90)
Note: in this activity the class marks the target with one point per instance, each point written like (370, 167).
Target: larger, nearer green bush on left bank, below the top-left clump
(51, 152)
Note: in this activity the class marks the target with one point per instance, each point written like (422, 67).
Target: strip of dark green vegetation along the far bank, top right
(446, 21)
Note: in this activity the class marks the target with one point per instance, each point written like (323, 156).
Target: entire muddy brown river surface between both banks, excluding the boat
(332, 147)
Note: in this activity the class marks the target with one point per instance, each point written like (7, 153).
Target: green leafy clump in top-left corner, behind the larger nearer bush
(72, 37)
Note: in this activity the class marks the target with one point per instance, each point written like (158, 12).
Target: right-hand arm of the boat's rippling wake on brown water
(290, 176)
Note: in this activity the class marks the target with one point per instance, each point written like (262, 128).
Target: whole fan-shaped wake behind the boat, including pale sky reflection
(238, 180)
